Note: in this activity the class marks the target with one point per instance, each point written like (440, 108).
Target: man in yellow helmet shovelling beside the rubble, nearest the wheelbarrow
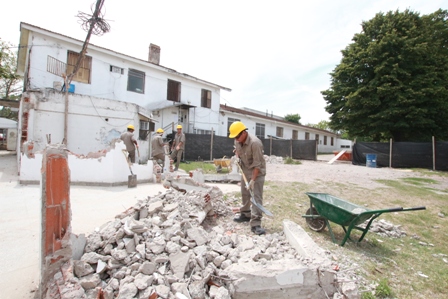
(249, 151)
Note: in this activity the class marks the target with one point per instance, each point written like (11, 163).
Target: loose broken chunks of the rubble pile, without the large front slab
(168, 246)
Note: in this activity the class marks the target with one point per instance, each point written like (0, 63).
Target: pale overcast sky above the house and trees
(275, 56)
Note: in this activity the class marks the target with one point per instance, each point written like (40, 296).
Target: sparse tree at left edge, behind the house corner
(10, 87)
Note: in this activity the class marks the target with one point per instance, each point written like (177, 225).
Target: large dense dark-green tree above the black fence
(392, 80)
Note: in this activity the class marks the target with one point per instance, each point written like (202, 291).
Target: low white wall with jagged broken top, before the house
(106, 168)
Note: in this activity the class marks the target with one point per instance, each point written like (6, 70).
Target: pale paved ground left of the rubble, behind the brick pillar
(20, 221)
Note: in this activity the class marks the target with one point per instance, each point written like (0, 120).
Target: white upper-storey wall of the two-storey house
(108, 85)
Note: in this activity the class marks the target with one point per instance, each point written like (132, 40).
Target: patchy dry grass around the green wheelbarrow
(407, 267)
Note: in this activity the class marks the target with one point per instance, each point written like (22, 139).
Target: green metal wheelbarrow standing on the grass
(325, 207)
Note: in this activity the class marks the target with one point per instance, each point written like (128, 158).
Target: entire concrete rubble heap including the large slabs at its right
(174, 246)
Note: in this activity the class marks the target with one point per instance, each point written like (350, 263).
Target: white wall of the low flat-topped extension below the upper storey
(93, 123)
